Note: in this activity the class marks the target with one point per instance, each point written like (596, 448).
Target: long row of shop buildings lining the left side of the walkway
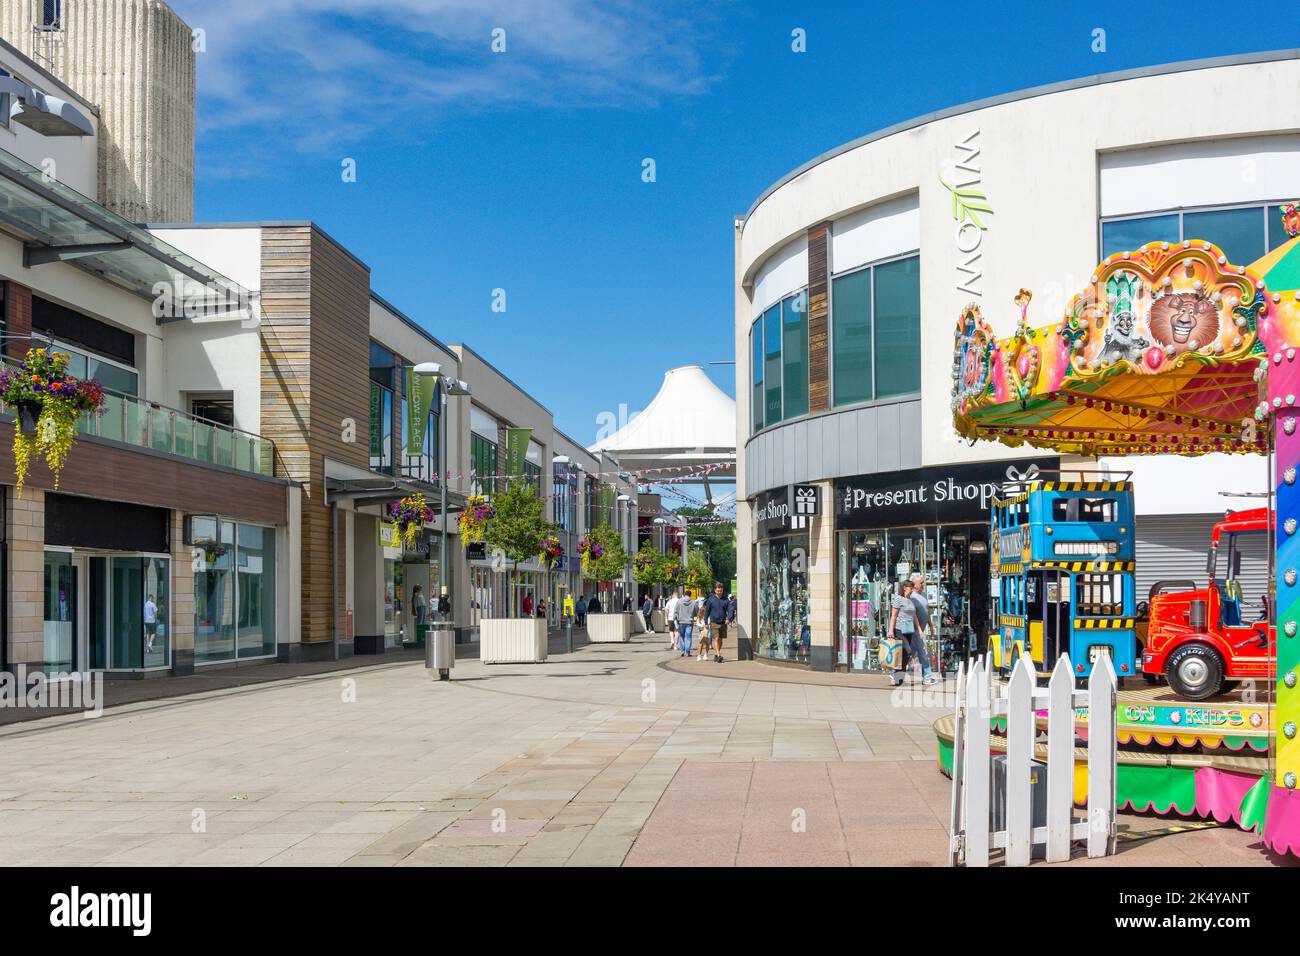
(231, 504)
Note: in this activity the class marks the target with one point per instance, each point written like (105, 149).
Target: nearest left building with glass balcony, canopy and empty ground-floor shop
(170, 540)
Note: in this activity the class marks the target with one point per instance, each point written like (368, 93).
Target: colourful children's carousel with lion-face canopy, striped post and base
(1172, 349)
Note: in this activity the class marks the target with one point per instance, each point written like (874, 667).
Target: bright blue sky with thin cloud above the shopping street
(522, 171)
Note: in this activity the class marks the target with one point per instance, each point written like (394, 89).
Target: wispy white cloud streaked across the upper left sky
(319, 72)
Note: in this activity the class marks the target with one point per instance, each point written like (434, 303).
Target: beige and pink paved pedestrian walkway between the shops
(600, 758)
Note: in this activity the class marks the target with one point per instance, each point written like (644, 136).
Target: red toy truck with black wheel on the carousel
(1203, 642)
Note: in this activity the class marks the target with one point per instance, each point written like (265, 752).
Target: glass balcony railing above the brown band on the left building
(146, 425)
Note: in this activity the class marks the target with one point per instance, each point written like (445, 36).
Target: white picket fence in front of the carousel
(972, 836)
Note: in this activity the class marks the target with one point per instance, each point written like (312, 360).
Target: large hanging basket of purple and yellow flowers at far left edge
(49, 404)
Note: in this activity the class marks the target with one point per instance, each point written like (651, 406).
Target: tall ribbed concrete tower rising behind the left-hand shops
(135, 62)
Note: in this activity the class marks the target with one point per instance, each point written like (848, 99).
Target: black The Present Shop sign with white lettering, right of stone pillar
(941, 495)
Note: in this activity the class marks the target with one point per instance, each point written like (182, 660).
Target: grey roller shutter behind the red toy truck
(1175, 547)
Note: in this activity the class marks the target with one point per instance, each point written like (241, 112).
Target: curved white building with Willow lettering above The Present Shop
(851, 275)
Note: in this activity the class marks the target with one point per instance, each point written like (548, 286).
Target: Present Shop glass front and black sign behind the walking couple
(930, 522)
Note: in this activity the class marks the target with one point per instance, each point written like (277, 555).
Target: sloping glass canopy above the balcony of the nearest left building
(57, 223)
